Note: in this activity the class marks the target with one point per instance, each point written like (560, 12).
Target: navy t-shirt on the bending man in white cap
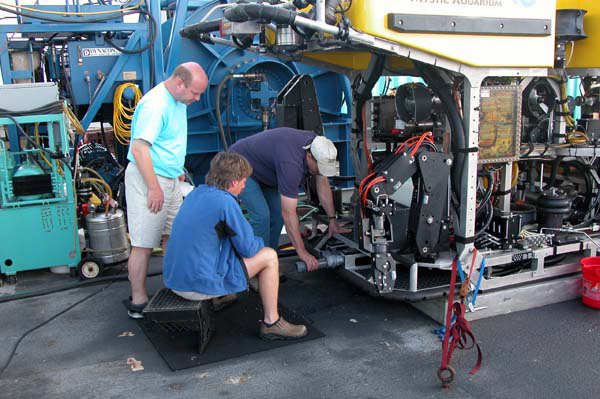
(277, 157)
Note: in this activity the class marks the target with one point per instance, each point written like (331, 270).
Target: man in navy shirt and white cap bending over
(281, 158)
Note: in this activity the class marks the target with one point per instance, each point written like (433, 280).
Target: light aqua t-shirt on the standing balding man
(162, 122)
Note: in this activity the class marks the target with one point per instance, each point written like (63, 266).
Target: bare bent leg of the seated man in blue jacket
(266, 265)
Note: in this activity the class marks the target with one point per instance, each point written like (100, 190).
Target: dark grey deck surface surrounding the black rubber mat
(373, 348)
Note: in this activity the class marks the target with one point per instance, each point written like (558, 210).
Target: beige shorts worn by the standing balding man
(146, 228)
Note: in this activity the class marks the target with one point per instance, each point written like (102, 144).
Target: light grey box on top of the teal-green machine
(27, 96)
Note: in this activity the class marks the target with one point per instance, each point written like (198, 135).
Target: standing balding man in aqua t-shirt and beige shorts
(157, 154)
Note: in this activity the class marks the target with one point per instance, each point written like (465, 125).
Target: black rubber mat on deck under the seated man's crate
(236, 335)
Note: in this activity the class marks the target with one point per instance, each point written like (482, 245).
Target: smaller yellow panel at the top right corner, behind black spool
(586, 53)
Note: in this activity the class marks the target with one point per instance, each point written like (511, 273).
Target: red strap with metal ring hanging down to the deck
(461, 332)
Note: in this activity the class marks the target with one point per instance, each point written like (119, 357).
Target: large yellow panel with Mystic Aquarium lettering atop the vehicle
(370, 16)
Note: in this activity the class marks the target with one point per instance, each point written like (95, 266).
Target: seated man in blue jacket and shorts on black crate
(213, 251)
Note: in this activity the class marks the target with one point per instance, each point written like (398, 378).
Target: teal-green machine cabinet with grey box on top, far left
(38, 220)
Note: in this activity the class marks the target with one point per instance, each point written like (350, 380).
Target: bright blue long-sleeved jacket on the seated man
(200, 254)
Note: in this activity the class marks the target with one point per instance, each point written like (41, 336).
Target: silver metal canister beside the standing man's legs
(108, 236)
